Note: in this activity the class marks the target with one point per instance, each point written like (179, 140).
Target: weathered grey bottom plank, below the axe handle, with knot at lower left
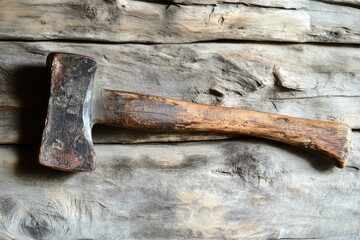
(243, 189)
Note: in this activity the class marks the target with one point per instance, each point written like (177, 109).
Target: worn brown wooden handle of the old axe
(330, 140)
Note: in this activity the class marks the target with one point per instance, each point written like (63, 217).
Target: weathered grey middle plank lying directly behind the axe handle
(312, 81)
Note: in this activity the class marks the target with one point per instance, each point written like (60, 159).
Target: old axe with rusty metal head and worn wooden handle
(75, 106)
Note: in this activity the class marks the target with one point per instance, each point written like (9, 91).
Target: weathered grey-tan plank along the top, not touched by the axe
(169, 22)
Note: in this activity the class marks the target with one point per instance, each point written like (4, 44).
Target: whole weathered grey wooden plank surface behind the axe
(295, 57)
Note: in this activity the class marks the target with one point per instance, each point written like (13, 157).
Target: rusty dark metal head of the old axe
(66, 141)
